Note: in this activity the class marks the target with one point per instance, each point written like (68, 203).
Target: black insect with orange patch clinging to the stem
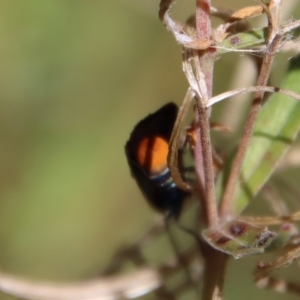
(147, 151)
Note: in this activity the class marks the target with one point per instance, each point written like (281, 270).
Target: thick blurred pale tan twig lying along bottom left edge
(130, 286)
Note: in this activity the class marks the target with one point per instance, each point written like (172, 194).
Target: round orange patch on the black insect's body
(152, 154)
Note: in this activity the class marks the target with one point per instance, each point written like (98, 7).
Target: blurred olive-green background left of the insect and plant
(75, 77)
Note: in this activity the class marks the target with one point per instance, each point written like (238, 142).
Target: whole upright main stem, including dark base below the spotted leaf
(214, 261)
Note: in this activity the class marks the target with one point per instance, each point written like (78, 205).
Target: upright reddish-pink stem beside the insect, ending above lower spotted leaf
(203, 154)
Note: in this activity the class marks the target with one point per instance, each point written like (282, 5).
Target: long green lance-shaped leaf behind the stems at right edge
(276, 128)
